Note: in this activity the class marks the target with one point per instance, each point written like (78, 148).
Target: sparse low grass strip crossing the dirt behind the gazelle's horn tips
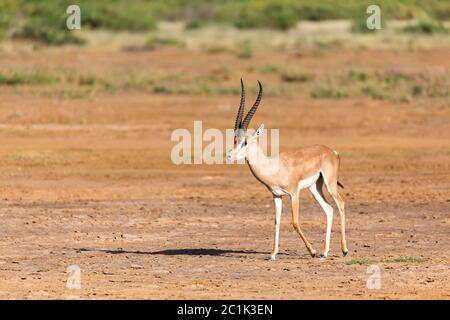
(386, 85)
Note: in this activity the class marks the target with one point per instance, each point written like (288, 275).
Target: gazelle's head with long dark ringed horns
(242, 138)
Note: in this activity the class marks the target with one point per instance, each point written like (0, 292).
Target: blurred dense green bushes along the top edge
(44, 20)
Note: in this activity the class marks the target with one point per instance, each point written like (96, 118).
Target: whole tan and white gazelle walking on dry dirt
(289, 172)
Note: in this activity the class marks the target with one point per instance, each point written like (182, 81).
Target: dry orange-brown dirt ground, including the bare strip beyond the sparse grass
(89, 182)
